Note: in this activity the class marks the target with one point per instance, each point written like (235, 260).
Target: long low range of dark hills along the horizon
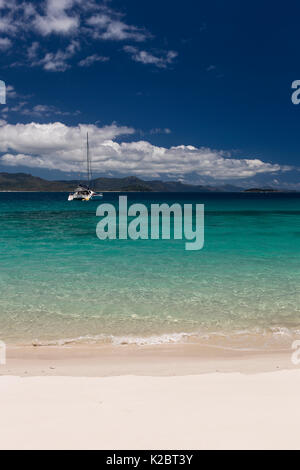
(27, 182)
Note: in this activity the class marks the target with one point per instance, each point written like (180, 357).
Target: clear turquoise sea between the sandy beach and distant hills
(58, 281)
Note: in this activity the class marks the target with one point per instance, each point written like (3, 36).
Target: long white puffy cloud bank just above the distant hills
(60, 147)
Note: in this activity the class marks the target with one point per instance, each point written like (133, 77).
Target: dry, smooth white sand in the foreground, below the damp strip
(209, 411)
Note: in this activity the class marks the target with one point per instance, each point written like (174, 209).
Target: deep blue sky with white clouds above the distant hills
(198, 92)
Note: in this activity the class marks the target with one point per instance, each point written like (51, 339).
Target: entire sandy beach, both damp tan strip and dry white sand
(148, 398)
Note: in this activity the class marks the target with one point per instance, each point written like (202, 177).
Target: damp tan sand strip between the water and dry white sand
(159, 360)
